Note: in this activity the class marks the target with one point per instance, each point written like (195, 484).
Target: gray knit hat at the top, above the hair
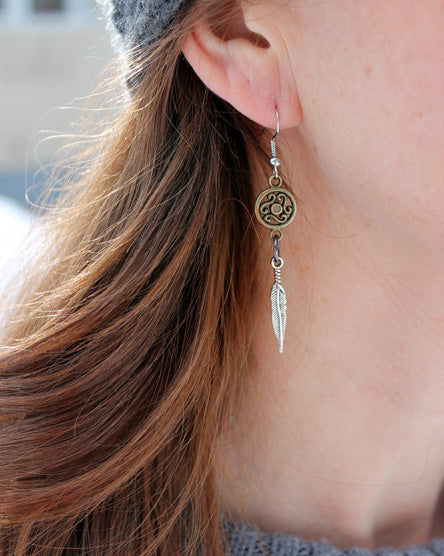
(135, 23)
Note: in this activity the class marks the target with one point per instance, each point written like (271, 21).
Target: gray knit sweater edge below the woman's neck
(243, 541)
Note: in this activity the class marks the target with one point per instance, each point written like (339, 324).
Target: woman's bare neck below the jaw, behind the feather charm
(341, 437)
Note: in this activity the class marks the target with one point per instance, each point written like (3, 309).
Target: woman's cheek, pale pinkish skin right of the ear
(371, 84)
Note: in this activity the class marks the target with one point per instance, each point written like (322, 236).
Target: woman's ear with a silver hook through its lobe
(244, 67)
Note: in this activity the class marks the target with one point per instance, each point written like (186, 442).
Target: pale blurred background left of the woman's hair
(52, 54)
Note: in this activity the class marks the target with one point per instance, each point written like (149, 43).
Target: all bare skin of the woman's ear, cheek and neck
(341, 437)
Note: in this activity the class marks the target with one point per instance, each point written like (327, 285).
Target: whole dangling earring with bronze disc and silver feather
(275, 208)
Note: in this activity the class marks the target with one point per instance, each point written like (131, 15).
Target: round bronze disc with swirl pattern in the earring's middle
(275, 207)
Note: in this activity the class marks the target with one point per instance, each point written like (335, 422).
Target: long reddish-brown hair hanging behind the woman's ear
(125, 356)
